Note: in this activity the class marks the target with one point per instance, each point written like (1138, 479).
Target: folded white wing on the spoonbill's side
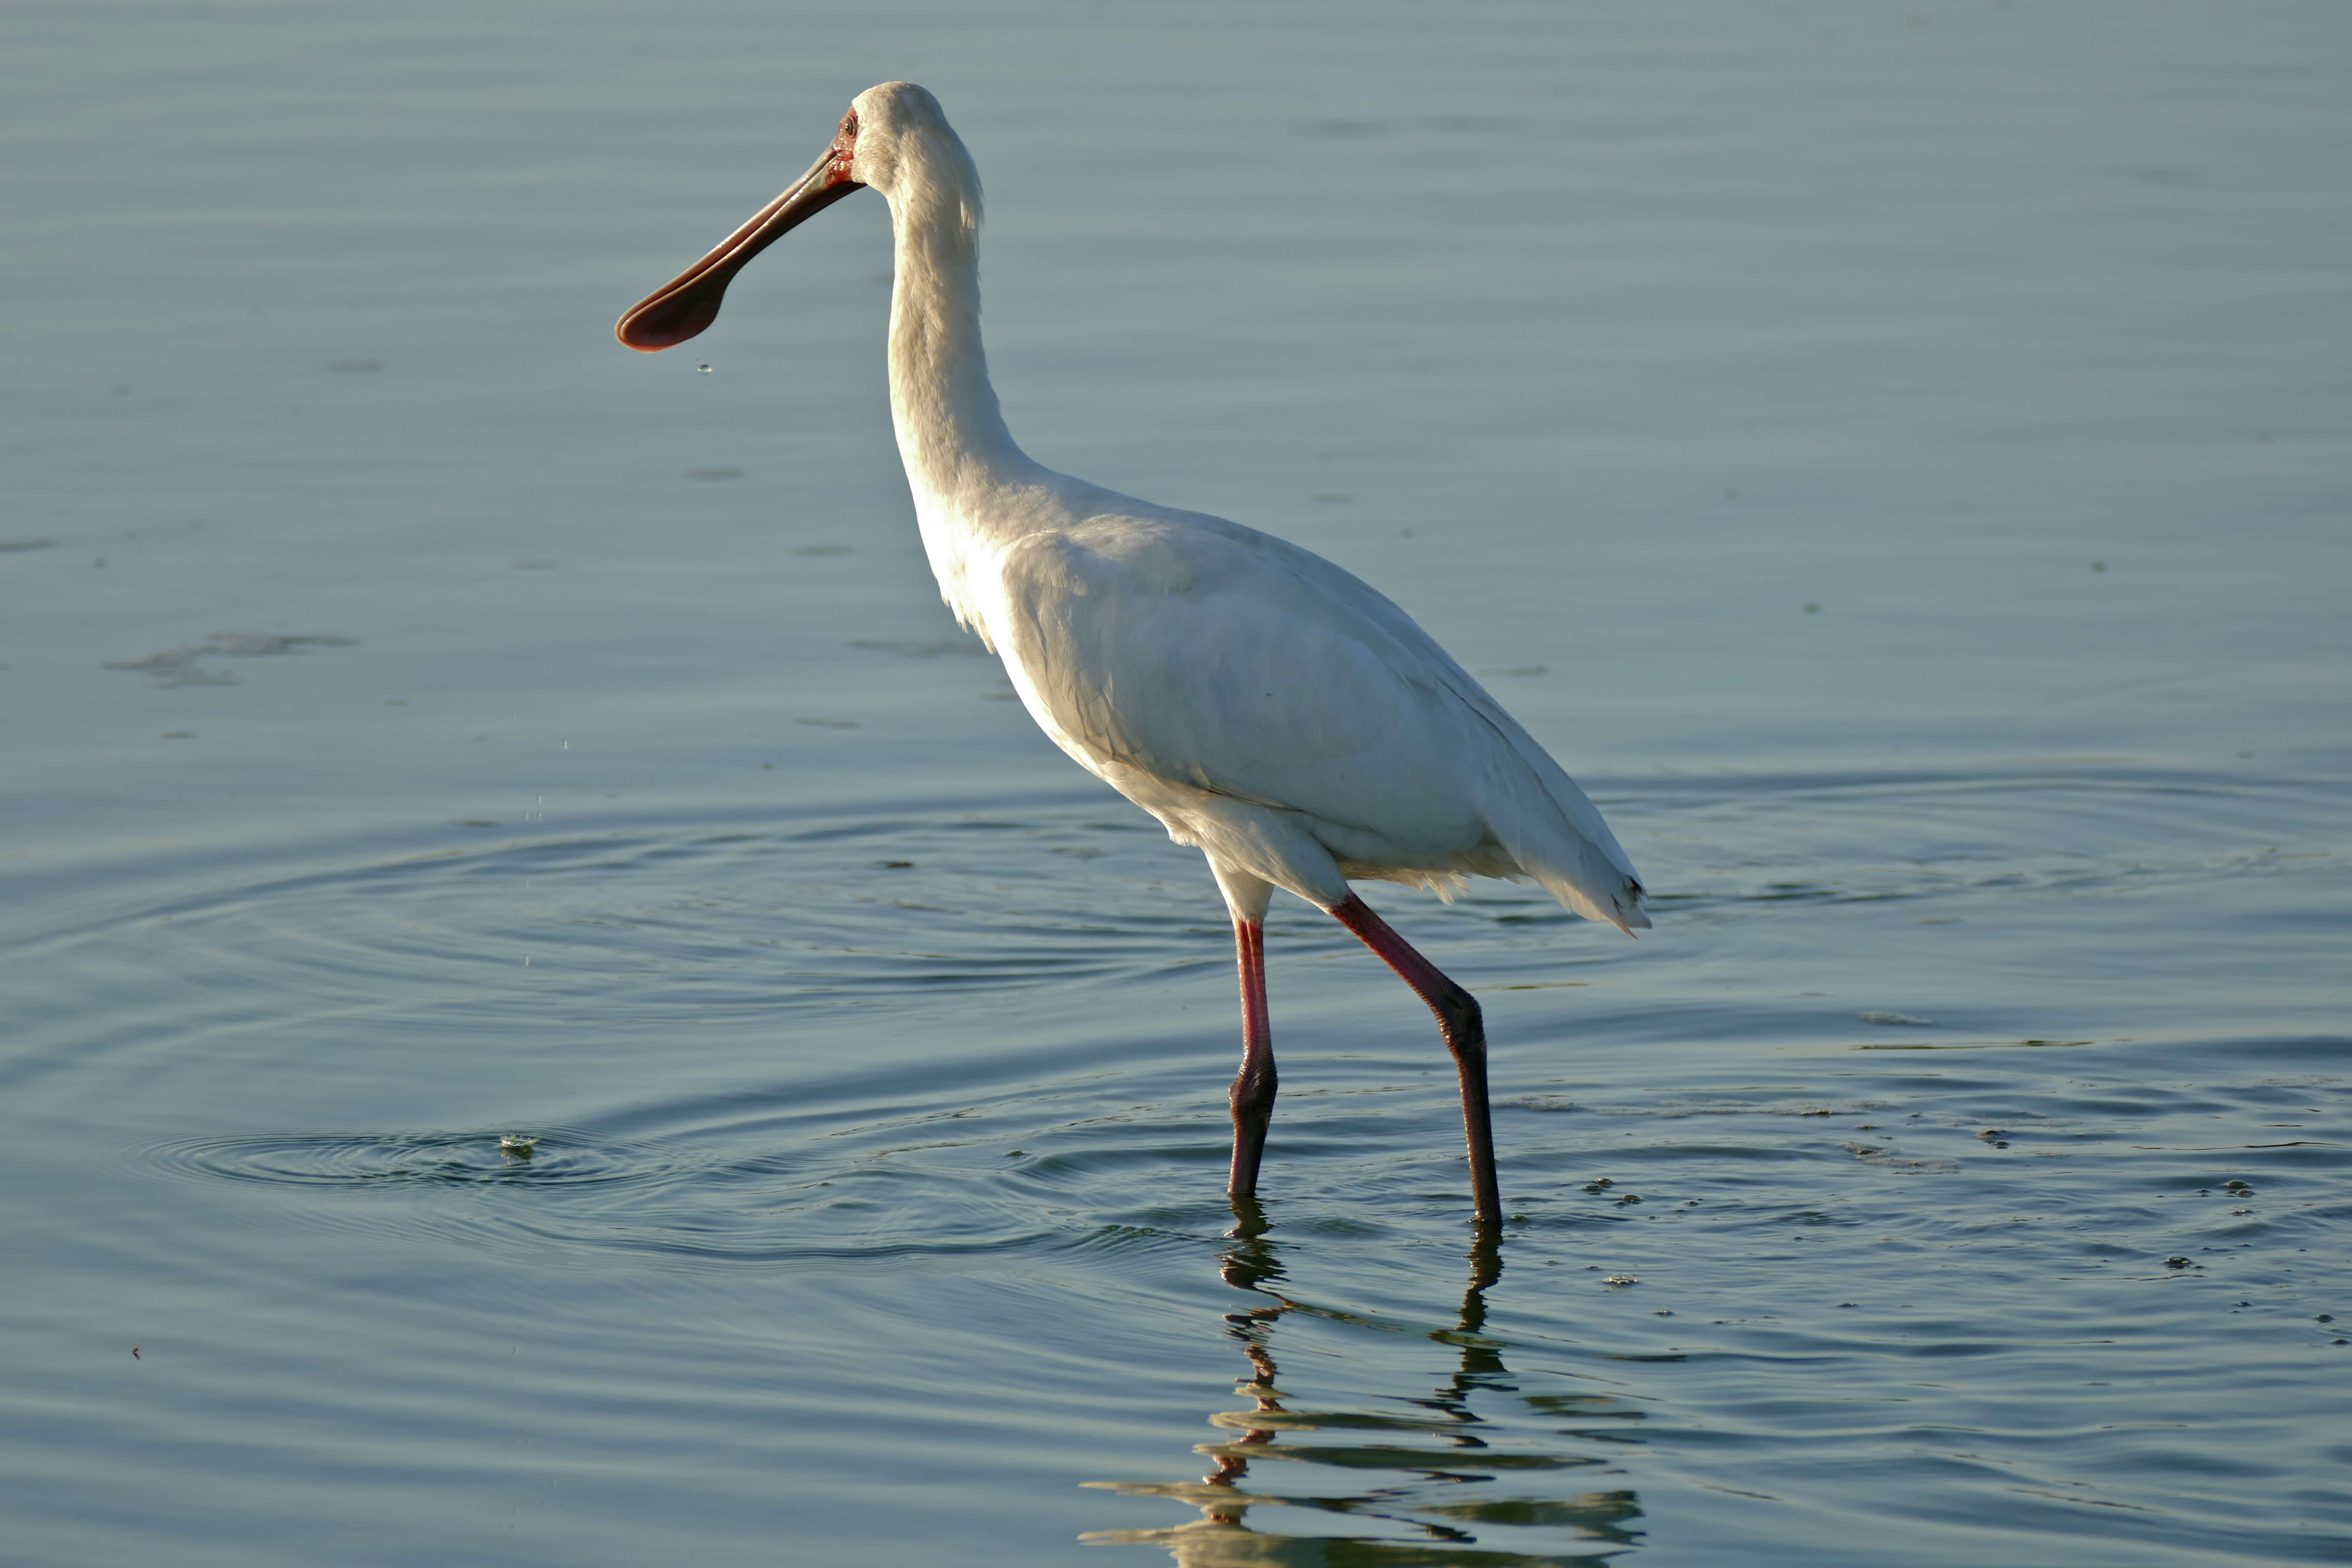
(1231, 662)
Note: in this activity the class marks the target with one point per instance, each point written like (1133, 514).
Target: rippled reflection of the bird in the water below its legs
(1429, 1515)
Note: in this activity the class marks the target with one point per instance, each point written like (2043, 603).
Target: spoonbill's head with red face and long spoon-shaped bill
(895, 140)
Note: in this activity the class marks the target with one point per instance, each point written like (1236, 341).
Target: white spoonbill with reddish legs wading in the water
(1267, 706)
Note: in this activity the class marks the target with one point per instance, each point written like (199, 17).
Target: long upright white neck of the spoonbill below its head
(951, 434)
